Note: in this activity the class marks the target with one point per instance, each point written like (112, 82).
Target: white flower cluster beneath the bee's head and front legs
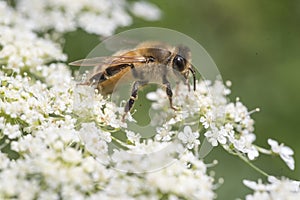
(222, 122)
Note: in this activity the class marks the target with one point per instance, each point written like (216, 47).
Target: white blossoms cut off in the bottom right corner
(275, 189)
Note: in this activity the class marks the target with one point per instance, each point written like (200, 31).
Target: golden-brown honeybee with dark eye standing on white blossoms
(147, 62)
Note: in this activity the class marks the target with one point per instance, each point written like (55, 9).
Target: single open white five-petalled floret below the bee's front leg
(189, 137)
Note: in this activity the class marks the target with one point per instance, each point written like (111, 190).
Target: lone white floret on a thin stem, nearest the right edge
(286, 153)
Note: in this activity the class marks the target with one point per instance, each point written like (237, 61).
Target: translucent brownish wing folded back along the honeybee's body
(110, 61)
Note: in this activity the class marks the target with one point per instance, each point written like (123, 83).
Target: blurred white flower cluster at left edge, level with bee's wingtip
(26, 49)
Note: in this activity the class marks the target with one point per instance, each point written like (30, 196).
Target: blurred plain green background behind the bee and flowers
(256, 45)
